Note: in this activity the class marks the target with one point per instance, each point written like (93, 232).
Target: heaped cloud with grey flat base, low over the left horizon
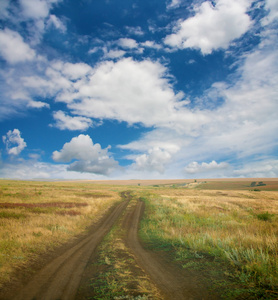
(89, 157)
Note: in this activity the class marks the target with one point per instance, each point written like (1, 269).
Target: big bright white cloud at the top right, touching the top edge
(212, 27)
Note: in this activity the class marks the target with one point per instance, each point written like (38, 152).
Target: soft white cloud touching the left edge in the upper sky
(13, 49)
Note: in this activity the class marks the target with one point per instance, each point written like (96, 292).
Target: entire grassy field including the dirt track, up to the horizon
(138, 239)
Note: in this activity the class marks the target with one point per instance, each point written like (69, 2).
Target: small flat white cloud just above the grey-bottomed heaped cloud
(65, 122)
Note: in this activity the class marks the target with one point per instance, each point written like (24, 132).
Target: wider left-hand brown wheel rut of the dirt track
(60, 278)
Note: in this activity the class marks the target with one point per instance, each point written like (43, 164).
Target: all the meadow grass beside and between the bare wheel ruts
(225, 231)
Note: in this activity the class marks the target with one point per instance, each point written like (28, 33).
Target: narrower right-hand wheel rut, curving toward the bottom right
(172, 283)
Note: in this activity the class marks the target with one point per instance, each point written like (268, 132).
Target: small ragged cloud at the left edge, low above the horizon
(14, 138)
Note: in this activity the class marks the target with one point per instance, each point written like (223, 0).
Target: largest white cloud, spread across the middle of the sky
(118, 90)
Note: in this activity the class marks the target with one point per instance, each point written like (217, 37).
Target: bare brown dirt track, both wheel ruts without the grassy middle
(60, 279)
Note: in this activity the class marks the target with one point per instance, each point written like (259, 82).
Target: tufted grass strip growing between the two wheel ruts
(115, 273)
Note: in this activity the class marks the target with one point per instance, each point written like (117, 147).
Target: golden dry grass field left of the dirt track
(36, 217)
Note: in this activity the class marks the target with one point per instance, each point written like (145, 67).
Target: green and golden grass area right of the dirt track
(230, 236)
